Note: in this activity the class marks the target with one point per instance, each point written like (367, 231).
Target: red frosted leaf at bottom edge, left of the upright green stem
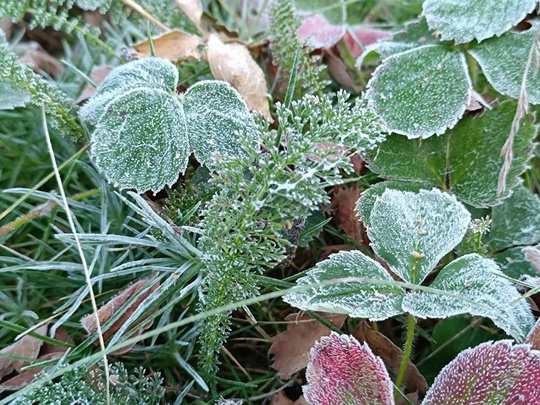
(343, 371)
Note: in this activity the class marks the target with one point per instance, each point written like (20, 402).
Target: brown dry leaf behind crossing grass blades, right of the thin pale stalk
(114, 305)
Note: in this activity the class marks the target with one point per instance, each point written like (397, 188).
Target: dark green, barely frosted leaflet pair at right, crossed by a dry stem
(465, 160)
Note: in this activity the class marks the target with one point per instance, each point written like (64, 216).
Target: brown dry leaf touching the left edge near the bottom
(27, 347)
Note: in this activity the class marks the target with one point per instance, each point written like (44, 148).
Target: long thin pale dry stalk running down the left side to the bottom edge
(79, 248)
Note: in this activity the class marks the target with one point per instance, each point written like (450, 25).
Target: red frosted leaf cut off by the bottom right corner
(491, 373)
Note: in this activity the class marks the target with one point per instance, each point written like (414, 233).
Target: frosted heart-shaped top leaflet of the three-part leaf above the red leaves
(413, 231)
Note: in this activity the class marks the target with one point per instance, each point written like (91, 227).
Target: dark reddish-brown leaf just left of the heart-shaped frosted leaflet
(343, 203)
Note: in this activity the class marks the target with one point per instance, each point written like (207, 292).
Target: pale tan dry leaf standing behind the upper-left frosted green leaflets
(233, 63)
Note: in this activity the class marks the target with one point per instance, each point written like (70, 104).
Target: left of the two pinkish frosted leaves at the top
(319, 33)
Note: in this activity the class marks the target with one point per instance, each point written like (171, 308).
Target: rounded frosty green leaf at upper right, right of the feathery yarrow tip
(421, 92)
